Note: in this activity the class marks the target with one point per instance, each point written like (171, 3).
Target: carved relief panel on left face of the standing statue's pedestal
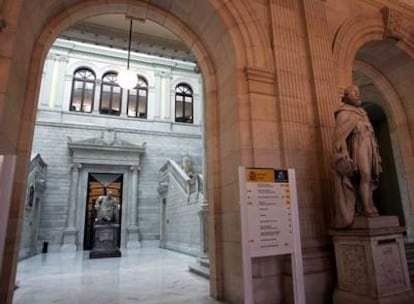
(352, 268)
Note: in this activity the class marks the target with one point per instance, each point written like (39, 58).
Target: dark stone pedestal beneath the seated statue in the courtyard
(106, 241)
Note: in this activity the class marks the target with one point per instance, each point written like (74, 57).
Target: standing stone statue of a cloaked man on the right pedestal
(357, 163)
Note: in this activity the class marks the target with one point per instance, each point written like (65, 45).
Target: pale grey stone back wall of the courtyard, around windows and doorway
(163, 138)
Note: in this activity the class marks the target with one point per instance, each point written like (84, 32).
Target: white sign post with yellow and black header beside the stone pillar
(270, 223)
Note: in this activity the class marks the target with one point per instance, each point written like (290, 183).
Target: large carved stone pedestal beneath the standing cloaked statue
(371, 263)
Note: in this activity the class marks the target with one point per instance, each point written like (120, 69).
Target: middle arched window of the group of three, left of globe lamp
(111, 94)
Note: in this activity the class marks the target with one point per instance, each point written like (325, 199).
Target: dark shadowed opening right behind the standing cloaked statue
(387, 196)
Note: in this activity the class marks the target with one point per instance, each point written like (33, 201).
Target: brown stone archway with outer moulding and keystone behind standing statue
(377, 57)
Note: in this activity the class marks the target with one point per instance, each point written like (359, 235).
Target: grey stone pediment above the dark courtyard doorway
(107, 149)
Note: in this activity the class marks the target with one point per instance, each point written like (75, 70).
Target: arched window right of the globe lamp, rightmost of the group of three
(137, 99)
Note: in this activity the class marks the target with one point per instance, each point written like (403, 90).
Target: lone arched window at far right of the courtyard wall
(183, 103)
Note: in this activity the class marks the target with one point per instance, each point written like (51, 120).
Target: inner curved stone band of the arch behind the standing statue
(399, 133)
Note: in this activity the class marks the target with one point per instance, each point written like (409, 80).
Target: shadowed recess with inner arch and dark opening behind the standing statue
(381, 85)
